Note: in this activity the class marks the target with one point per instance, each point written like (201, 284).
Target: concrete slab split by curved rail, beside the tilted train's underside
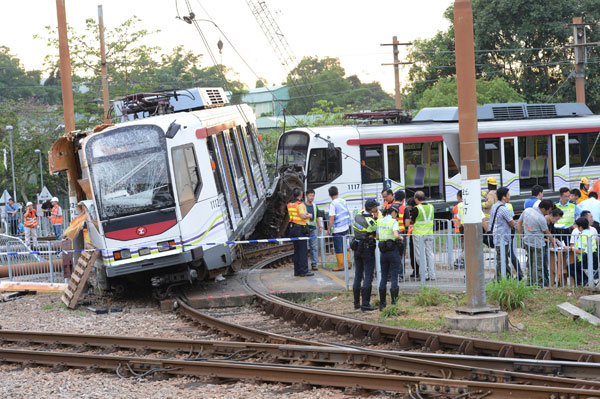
(232, 292)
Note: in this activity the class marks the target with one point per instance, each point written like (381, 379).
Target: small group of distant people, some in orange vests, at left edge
(26, 222)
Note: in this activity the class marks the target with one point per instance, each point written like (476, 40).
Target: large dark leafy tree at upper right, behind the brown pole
(521, 41)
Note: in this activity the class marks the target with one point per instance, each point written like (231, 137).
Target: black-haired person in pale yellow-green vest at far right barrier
(578, 269)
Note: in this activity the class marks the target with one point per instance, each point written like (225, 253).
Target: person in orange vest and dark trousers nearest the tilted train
(298, 228)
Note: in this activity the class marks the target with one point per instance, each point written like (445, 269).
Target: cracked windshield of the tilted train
(128, 167)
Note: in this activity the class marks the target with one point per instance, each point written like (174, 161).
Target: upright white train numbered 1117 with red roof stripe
(521, 145)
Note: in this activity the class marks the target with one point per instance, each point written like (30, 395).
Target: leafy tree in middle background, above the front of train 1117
(315, 79)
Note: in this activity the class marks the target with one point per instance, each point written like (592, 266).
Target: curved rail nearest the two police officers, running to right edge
(404, 337)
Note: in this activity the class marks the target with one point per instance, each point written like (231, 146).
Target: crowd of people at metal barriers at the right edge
(564, 225)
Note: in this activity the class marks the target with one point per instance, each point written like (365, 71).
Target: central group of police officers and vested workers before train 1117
(398, 225)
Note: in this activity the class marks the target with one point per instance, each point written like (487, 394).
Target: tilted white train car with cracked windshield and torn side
(159, 187)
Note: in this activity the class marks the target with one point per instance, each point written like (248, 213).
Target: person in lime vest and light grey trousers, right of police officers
(422, 217)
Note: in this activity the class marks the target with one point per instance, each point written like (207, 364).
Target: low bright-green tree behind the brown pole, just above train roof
(443, 93)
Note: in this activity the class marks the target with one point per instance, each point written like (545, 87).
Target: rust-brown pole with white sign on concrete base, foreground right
(477, 314)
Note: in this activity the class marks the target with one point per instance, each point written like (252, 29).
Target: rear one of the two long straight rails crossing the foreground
(331, 356)
